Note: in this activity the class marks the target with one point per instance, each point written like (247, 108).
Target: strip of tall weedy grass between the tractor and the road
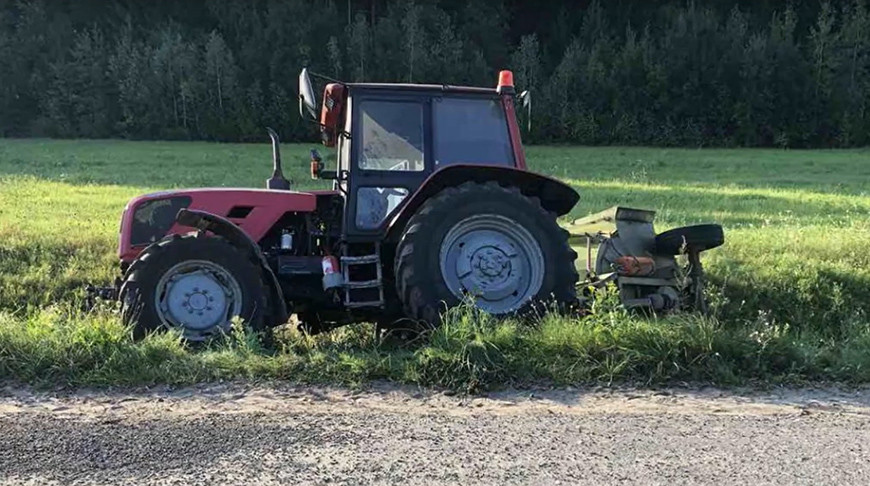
(470, 352)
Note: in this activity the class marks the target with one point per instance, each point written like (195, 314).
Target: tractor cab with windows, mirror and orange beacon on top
(391, 138)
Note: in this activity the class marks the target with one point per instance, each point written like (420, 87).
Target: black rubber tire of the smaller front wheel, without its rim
(138, 294)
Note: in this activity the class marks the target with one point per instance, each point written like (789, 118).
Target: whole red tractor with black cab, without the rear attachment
(431, 202)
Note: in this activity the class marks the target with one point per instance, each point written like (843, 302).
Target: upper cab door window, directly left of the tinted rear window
(392, 135)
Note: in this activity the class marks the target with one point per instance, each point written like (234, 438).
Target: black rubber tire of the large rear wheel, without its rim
(420, 283)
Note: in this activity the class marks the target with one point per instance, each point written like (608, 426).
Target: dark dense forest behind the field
(627, 72)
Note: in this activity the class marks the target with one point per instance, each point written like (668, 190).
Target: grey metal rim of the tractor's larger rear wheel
(495, 260)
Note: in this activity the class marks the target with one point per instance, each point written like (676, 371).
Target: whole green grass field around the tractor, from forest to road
(791, 287)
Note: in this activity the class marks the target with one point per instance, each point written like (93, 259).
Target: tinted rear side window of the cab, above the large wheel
(471, 131)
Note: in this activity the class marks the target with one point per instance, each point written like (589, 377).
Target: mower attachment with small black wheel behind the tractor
(619, 245)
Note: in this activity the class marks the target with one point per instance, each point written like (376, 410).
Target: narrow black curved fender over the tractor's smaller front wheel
(225, 228)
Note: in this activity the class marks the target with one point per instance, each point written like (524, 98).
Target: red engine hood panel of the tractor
(268, 206)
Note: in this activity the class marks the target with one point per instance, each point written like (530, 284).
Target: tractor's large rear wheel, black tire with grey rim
(487, 242)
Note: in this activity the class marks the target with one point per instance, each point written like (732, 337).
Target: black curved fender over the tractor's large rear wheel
(555, 195)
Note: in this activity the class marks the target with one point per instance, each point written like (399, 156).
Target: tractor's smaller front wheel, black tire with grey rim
(194, 284)
